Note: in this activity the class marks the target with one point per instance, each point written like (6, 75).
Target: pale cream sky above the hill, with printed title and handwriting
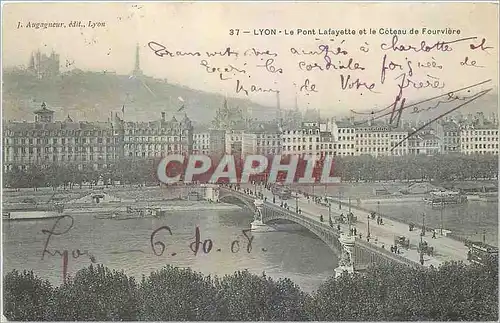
(202, 27)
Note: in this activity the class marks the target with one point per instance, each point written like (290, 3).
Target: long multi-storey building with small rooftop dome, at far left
(46, 142)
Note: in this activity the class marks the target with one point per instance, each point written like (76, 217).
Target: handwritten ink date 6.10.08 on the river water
(206, 246)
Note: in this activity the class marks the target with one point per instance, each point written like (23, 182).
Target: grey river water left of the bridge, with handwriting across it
(126, 245)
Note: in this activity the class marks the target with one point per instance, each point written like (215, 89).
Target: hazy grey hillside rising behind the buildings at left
(93, 96)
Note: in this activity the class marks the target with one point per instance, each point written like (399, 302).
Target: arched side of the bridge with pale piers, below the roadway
(355, 253)
